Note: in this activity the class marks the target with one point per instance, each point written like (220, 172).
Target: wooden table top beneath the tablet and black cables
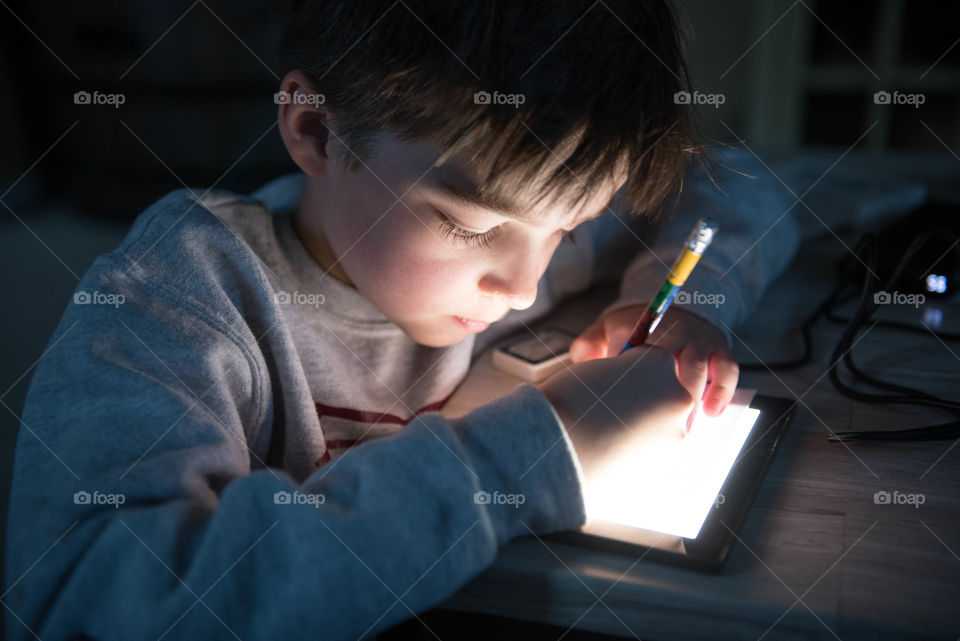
(817, 557)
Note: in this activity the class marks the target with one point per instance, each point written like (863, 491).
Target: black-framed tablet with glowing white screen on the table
(683, 502)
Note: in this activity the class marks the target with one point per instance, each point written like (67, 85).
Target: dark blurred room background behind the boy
(198, 81)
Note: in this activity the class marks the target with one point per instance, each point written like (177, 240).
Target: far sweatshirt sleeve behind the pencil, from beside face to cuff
(757, 239)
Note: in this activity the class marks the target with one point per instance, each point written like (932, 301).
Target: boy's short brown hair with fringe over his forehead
(597, 81)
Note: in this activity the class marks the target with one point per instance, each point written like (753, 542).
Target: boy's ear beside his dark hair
(303, 117)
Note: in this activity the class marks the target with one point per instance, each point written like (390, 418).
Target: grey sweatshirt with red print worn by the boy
(220, 441)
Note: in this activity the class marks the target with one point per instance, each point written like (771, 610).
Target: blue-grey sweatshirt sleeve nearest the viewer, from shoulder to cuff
(135, 510)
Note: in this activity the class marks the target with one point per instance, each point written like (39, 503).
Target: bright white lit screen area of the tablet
(670, 487)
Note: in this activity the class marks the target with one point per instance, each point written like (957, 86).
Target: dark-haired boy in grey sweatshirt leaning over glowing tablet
(243, 444)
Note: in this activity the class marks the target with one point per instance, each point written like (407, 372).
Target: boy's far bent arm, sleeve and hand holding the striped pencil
(756, 241)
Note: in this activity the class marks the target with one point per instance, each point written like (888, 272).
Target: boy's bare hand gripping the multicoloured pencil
(700, 349)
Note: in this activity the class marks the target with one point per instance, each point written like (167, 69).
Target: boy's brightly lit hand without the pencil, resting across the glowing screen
(641, 401)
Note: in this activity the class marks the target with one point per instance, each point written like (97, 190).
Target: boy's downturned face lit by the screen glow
(436, 264)
